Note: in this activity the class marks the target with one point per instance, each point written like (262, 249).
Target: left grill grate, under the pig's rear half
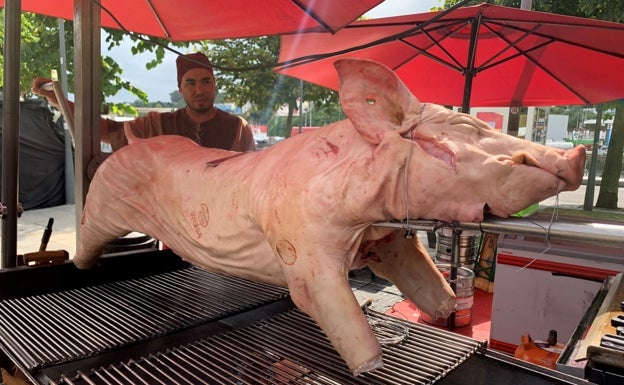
(53, 328)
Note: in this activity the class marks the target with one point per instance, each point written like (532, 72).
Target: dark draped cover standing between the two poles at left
(41, 157)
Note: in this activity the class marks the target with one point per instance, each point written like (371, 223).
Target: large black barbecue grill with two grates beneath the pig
(263, 340)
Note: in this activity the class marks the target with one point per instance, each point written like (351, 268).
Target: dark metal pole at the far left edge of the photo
(10, 130)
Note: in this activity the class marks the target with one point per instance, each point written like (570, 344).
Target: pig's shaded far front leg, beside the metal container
(407, 264)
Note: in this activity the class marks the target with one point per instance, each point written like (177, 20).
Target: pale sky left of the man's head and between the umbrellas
(159, 82)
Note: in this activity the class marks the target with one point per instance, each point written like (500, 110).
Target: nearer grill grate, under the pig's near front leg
(288, 349)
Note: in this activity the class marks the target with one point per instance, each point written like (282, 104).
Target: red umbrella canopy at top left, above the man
(191, 20)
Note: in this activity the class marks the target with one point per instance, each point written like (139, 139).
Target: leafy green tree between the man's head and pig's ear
(255, 82)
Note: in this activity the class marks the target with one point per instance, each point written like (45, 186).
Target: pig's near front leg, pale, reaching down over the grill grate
(319, 286)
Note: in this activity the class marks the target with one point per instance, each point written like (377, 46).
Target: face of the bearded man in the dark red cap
(198, 89)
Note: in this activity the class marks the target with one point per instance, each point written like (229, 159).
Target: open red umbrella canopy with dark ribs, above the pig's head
(483, 55)
